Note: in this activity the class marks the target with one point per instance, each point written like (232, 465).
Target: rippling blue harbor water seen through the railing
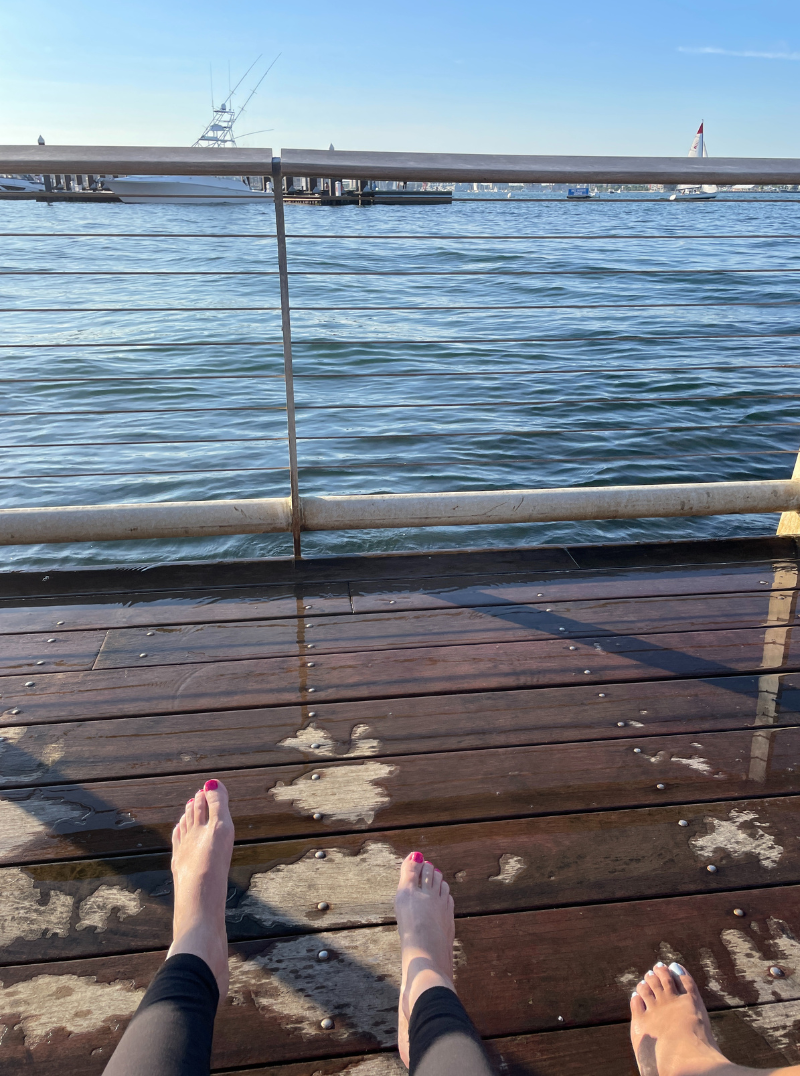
(396, 400)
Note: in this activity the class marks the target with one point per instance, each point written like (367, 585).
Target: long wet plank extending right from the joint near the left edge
(425, 629)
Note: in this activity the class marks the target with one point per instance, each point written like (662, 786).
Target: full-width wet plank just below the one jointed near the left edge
(436, 671)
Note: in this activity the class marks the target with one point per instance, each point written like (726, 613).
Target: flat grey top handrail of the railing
(357, 165)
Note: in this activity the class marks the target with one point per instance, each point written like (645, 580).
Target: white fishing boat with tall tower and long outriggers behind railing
(203, 190)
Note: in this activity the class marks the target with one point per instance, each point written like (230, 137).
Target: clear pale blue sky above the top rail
(577, 77)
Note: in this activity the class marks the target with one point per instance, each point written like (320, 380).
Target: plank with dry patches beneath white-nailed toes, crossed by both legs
(510, 973)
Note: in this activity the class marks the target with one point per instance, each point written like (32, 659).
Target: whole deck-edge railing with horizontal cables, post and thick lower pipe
(298, 512)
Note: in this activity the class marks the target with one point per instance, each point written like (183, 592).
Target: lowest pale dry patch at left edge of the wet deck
(76, 1003)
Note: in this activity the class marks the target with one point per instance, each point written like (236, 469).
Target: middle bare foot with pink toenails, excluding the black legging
(425, 912)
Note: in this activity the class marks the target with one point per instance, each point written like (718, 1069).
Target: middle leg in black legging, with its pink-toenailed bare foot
(436, 1036)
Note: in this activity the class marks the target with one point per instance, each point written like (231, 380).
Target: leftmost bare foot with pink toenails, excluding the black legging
(202, 846)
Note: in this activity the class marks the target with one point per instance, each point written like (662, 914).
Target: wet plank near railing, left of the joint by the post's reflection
(176, 607)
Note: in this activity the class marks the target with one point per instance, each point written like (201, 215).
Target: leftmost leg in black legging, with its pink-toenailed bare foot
(171, 1033)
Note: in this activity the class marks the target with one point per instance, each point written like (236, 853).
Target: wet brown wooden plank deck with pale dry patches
(577, 737)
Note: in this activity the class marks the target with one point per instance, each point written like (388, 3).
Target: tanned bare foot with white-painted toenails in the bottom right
(670, 1028)
